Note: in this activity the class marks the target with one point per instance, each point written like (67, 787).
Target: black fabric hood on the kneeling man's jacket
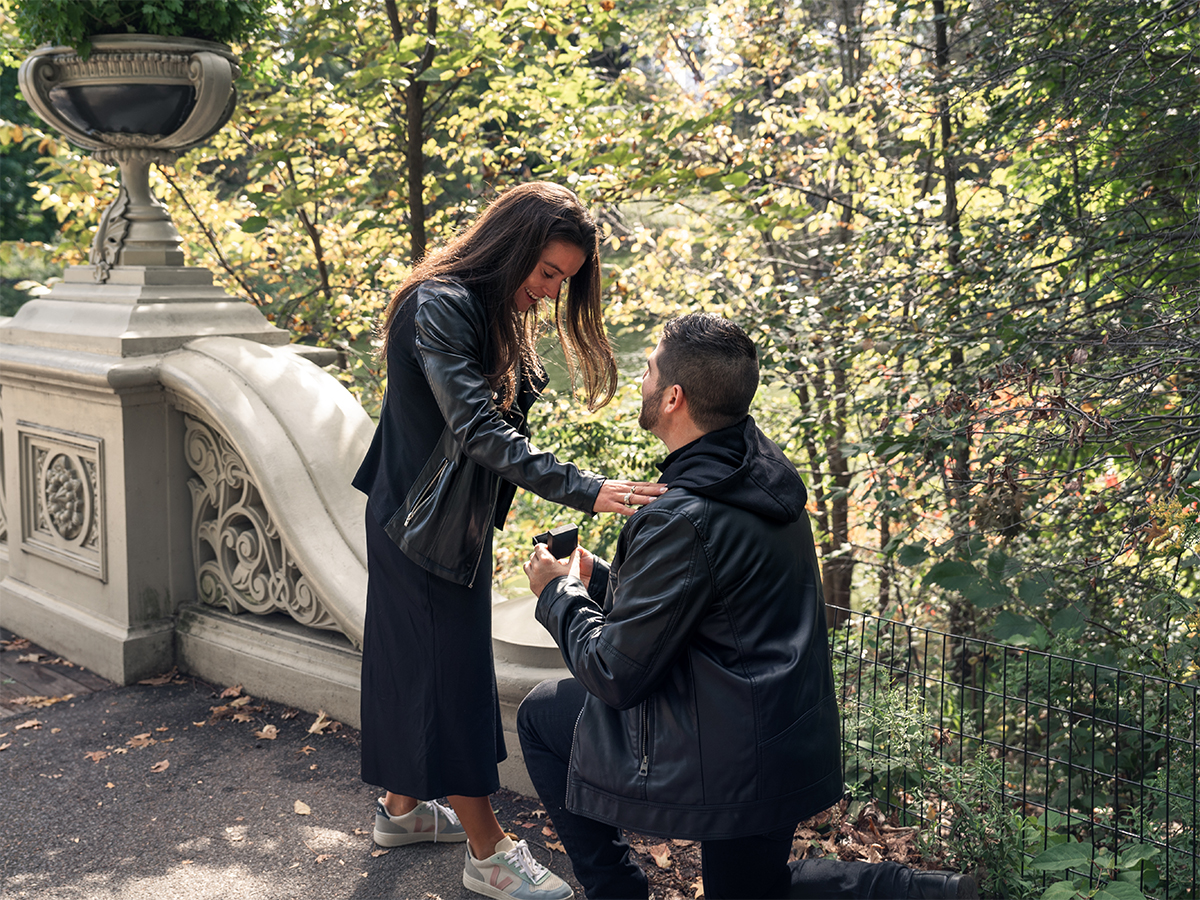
(742, 467)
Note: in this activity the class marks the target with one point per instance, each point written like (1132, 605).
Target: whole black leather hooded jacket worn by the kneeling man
(711, 710)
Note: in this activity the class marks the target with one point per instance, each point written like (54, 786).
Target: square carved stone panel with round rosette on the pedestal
(62, 493)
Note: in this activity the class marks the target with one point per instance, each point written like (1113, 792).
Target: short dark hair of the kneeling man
(717, 365)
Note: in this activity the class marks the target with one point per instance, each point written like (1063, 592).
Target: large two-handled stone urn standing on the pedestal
(136, 100)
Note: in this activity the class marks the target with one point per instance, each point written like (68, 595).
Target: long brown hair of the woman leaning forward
(495, 256)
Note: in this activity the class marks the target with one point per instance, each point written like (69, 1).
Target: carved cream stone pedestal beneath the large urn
(97, 507)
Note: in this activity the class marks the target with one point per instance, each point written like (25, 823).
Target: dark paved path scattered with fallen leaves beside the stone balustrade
(170, 790)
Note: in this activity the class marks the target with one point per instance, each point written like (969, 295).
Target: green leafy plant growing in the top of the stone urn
(71, 23)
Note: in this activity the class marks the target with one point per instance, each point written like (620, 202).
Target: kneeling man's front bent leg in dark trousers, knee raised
(599, 855)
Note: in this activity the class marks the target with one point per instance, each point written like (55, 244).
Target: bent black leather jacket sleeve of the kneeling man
(663, 590)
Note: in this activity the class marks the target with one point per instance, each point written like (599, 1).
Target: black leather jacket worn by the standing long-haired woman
(446, 461)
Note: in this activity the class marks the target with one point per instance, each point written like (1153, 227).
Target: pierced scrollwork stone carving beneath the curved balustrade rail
(242, 562)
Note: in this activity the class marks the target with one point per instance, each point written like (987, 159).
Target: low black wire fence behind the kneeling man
(1099, 760)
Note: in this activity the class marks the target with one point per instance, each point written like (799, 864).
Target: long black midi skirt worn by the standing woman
(431, 715)
